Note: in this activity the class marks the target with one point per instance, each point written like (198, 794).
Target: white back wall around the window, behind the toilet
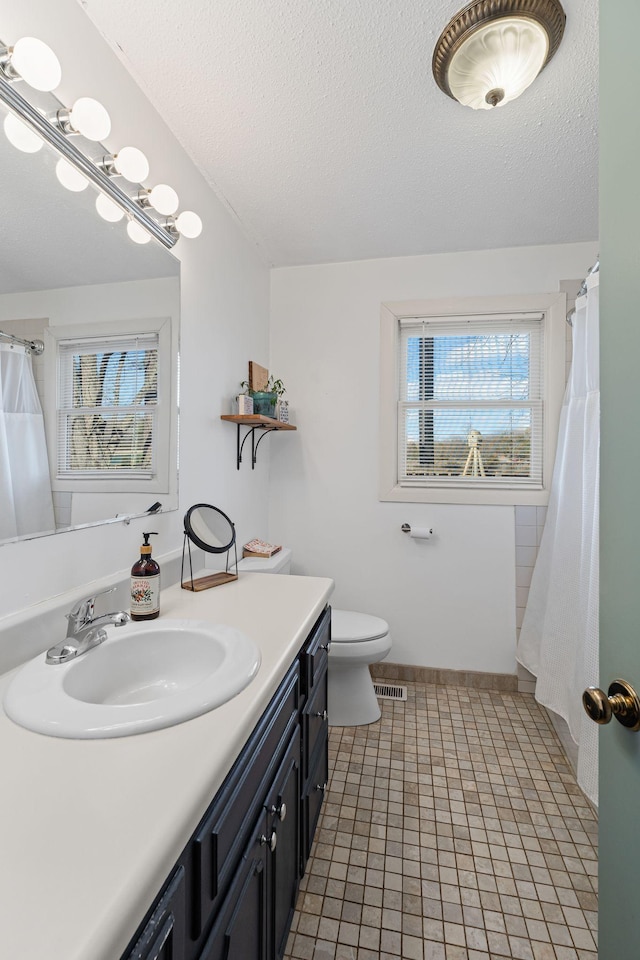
(450, 601)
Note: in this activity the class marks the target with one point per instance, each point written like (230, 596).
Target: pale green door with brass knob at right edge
(620, 469)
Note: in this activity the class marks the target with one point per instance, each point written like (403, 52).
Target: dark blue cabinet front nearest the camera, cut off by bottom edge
(162, 936)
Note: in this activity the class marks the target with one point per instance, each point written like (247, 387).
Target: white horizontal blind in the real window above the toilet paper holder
(470, 409)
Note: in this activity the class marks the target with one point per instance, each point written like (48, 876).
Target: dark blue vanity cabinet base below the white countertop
(232, 894)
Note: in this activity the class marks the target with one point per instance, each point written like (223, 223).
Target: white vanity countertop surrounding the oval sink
(89, 829)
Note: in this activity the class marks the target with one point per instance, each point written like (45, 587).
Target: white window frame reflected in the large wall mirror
(166, 406)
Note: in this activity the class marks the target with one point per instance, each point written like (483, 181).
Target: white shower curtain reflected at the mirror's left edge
(26, 505)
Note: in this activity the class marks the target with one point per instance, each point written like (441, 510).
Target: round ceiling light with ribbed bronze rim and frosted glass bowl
(492, 50)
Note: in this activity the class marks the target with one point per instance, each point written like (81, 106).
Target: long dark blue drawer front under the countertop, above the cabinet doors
(219, 841)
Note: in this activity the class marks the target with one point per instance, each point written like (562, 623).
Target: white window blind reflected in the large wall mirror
(108, 407)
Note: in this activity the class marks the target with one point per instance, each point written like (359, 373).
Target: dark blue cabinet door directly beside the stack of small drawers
(284, 809)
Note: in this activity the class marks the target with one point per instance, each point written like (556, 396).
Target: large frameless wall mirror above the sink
(107, 310)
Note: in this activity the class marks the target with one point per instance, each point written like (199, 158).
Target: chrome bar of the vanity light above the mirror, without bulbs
(60, 142)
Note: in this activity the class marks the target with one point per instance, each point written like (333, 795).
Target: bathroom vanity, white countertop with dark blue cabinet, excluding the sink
(186, 843)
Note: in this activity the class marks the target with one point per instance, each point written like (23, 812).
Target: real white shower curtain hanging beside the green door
(559, 636)
